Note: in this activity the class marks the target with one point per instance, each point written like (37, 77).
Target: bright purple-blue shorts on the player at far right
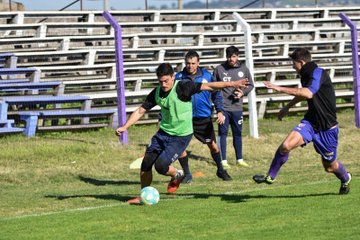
(325, 142)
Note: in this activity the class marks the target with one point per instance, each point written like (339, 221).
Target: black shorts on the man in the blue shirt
(204, 129)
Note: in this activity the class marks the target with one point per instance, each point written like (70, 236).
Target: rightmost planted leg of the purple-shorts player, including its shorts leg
(325, 143)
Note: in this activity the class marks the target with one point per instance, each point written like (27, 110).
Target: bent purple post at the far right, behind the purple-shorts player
(355, 60)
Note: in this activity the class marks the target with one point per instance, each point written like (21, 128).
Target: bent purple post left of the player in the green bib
(120, 86)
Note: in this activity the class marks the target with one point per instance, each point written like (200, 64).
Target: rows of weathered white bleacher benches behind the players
(76, 49)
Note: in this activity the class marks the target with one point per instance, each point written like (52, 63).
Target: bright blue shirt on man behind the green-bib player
(202, 102)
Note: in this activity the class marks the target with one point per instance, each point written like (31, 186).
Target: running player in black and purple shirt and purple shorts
(319, 124)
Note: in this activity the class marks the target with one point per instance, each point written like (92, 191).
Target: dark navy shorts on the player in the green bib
(169, 147)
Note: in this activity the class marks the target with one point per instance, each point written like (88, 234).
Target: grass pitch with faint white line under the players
(75, 186)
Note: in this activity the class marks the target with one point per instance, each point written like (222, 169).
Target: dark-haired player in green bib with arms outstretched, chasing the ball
(176, 129)
